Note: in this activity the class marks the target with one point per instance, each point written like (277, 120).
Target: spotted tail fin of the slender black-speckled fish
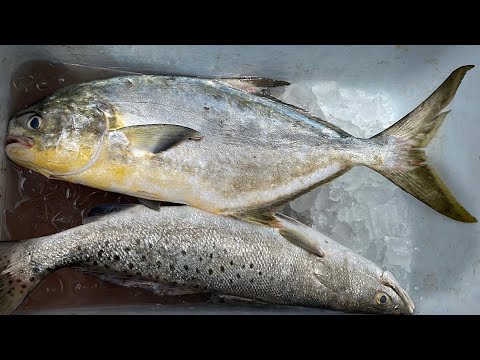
(16, 282)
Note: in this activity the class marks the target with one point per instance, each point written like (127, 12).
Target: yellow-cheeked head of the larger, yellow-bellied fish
(58, 136)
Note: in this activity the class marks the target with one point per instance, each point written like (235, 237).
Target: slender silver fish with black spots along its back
(202, 251)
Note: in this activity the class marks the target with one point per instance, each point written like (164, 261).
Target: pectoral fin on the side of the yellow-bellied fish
(157, 138)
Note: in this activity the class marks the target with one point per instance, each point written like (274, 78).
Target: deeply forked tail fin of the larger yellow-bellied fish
(406, 140)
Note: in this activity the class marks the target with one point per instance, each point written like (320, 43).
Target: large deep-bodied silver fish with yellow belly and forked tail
(221, 145)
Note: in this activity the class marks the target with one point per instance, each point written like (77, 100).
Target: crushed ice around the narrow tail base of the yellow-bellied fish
(360, 209)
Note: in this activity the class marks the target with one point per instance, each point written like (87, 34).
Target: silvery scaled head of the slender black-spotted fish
(359, 285)
